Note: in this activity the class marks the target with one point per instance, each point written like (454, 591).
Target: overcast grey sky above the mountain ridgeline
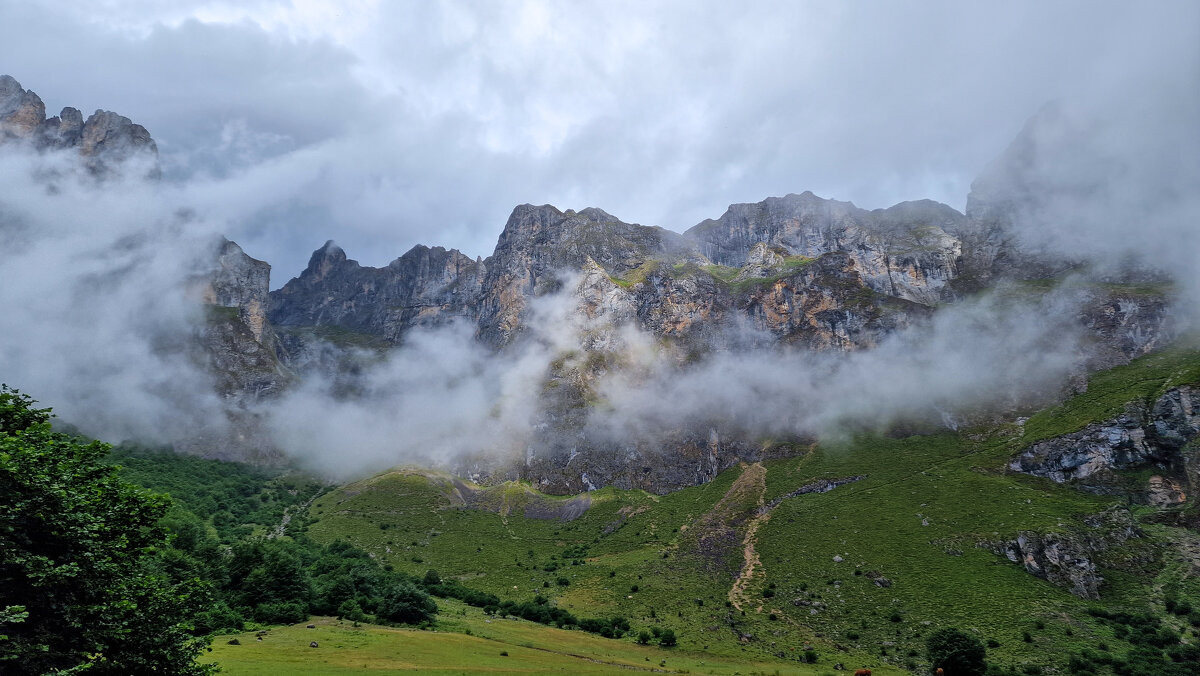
(388, 124)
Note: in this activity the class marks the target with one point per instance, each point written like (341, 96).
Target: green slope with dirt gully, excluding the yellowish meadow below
(915, 521)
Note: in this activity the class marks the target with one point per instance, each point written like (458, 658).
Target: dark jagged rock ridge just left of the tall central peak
(425, 288)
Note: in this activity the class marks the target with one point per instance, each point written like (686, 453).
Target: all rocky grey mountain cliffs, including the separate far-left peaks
(602, 298)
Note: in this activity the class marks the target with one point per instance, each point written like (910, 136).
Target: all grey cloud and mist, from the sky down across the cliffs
(333, 134)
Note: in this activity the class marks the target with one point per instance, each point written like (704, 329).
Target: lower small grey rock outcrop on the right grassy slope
(1070, 559)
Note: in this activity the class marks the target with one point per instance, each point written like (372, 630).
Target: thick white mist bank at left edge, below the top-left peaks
(94, 308)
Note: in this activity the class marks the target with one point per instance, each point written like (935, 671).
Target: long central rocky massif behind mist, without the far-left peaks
(800, 272)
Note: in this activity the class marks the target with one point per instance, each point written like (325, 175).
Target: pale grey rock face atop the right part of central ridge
(904, 252)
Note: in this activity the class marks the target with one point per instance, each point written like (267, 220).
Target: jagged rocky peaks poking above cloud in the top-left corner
(106, 141)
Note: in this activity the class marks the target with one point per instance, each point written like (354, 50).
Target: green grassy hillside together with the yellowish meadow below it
(753, 578)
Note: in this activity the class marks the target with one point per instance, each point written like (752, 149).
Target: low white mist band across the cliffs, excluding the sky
(99, 312)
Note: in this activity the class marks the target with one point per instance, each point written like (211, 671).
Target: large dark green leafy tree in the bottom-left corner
(80, 589)
